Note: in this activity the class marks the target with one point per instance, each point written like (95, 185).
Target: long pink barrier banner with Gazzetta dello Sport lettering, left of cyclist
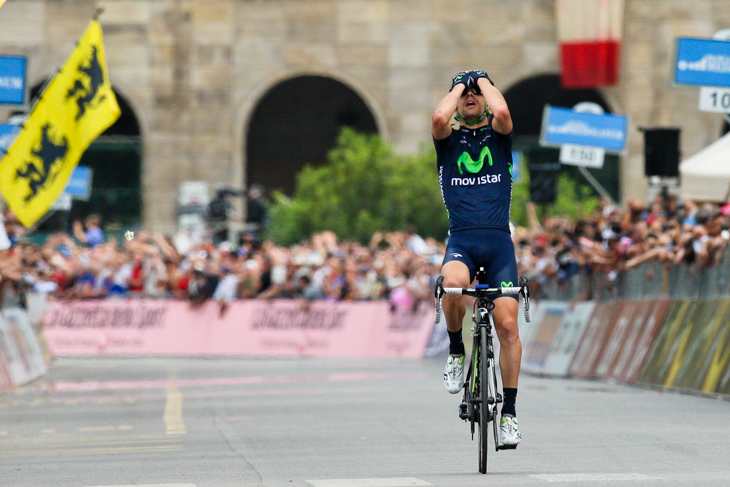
(252, 328)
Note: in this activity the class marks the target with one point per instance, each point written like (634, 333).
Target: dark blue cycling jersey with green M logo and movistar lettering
(475, 175)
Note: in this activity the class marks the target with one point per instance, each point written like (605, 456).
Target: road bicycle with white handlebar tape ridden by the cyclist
(481, 396)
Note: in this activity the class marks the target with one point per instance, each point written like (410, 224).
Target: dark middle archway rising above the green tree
(295, 124)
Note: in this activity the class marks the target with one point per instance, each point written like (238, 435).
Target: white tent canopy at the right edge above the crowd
(706, 175)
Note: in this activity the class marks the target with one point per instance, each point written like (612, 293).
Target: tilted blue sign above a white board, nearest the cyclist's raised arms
(564, 126)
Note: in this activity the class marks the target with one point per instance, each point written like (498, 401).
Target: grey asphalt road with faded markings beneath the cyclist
(340, 423)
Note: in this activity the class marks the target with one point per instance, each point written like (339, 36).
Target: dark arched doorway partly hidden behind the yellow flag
(115, 159)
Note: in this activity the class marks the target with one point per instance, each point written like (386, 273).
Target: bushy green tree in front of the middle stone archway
(365, 188)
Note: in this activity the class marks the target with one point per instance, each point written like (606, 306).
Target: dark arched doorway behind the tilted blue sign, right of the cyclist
(526, 101)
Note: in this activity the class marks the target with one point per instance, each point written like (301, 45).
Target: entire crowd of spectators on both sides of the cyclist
(399, 266)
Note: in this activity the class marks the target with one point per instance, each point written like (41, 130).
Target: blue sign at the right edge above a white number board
(704, 62)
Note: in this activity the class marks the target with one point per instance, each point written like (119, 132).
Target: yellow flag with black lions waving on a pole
(77, 105)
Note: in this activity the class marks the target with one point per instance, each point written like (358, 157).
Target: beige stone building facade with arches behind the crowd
(193, 71)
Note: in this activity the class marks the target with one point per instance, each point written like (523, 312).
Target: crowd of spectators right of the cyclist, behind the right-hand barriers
(615, 239)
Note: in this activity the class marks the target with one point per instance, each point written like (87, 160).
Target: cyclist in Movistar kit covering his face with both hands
(475, 175)
